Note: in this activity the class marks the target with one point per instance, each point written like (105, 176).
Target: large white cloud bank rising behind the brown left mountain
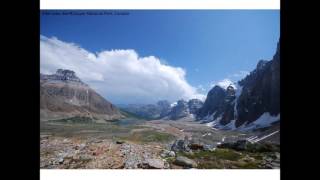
(121, 76)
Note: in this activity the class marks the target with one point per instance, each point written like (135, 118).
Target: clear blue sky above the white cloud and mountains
(210, 45)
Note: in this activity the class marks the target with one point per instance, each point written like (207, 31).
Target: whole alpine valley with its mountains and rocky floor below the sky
(237, 127)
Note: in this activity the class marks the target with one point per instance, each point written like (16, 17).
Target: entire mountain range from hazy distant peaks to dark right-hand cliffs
(251, 103)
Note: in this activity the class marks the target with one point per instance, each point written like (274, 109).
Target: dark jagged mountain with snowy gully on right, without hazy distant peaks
(254, 102)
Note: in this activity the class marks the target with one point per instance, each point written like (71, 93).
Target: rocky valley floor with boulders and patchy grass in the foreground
(158, 144)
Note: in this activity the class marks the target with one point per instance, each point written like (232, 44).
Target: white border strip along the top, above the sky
(159, 4)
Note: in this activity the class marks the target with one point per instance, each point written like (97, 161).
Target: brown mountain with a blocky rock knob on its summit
(64, 95)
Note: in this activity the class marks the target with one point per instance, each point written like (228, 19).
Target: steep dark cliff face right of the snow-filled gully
(260, 91)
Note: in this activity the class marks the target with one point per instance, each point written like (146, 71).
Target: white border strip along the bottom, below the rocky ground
(193, 174)
